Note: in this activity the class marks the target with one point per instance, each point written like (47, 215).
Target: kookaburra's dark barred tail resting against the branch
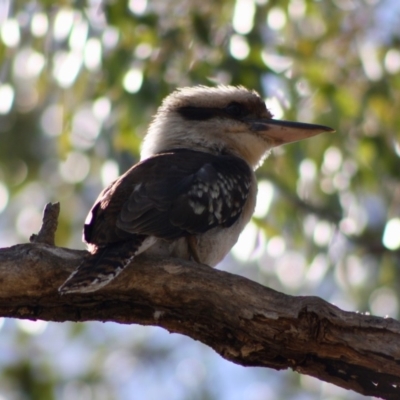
(101, 267)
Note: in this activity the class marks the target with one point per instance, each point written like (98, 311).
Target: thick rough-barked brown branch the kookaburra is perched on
(241, 320)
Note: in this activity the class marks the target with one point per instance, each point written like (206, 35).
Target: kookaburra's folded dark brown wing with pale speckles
(171, 195)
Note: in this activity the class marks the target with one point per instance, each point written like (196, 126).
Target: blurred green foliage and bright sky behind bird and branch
(79, 83)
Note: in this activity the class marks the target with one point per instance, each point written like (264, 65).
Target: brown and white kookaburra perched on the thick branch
(193, 190)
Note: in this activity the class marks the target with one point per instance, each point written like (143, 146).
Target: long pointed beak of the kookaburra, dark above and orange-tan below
(282, 132)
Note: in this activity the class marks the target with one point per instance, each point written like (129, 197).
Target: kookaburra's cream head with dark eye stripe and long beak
(223, 119)
